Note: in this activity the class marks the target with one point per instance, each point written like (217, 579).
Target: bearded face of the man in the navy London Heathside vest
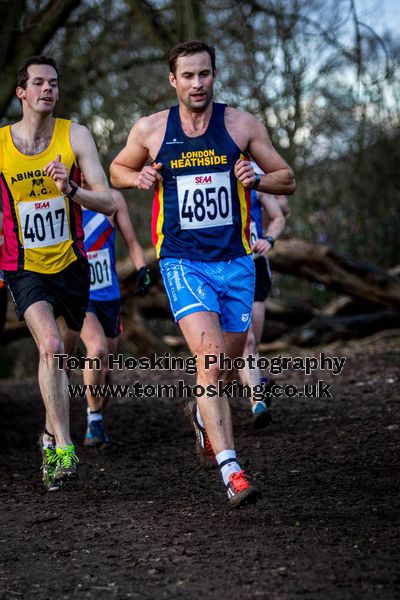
(193, 81)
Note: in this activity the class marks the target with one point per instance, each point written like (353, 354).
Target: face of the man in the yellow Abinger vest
(41, 92)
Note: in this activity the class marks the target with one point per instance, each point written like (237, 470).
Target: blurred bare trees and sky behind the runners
(323, 81)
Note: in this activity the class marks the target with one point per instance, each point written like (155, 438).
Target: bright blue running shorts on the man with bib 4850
(225, 287)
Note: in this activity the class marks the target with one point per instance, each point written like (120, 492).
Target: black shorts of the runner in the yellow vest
(67, 291)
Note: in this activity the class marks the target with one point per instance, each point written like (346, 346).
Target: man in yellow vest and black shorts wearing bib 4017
(43, 256)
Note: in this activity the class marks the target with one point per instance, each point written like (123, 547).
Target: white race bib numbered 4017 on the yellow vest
(44, 222)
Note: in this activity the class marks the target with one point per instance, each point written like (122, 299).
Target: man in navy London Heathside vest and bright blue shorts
(202, 180)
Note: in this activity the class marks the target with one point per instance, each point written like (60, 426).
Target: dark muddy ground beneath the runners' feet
(145, 522)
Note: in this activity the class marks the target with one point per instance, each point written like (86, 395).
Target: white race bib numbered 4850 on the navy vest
(204, 200)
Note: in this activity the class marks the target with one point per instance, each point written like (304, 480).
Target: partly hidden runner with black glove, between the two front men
(102, 324)
